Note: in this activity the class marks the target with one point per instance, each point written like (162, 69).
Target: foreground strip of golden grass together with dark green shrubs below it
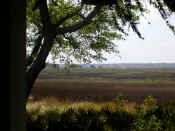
(114, 116)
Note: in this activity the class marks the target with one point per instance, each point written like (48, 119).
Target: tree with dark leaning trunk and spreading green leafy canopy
(81, 30)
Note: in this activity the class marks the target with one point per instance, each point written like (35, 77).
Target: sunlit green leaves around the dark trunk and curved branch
(91, 40)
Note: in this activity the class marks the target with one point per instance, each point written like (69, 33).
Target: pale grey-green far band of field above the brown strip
(117, 75)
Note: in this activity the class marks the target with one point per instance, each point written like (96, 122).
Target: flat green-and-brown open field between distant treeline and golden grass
(102, 85)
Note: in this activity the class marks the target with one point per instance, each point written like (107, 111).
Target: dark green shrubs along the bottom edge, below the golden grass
(161, 118)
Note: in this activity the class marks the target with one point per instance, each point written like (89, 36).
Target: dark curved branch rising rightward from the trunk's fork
(80, 24)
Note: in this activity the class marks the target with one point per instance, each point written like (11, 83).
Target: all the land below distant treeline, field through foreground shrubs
(89, 100)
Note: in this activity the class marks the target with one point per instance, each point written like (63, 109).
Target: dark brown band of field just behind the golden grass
(100, 91)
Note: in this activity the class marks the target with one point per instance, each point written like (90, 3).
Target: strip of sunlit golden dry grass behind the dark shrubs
(51, 103)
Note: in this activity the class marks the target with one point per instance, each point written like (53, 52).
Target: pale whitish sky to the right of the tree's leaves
(158, 45)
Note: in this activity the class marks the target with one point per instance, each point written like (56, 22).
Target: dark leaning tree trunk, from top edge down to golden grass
(49, 34)
